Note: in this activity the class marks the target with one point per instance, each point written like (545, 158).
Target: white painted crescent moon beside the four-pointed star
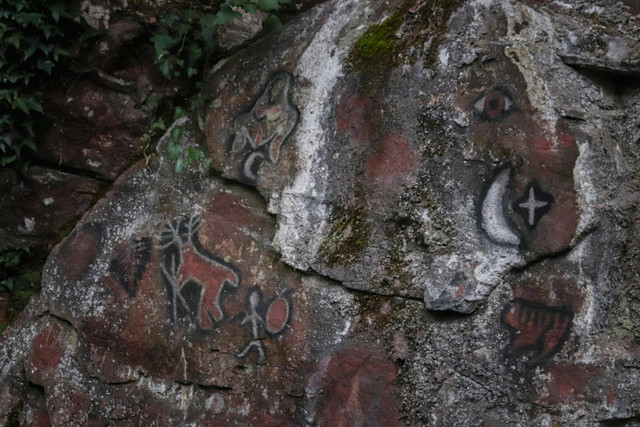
(494, 222)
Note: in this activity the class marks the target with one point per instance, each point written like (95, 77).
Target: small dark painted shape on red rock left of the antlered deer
(129, 266)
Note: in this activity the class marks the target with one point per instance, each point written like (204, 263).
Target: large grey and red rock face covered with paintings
(422, 213)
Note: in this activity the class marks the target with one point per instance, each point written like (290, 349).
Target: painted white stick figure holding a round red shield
(270, 317)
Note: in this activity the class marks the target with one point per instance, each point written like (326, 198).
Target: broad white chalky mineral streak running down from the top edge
(302, 211)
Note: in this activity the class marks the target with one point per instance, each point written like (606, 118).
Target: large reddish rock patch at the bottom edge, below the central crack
(357, 390)
